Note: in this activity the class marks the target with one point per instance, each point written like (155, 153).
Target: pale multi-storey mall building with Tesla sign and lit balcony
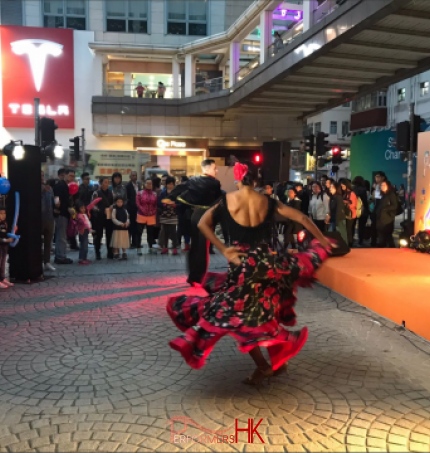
(85, 59)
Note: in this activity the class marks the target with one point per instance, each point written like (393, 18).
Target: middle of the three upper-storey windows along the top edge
(127, 16)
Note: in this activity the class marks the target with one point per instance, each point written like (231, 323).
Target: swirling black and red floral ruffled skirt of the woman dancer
(249, 302)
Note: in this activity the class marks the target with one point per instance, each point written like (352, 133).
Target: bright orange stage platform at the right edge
(392, 282)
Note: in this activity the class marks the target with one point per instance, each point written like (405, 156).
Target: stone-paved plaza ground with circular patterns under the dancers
(85, 366)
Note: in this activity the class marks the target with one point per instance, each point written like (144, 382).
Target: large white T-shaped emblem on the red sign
(37, 51)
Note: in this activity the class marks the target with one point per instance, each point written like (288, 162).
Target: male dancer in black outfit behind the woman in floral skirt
(200, 193)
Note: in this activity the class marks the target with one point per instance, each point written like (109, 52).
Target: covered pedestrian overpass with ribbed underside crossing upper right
(362, 46)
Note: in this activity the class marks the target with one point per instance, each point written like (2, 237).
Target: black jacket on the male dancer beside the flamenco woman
(202, 191)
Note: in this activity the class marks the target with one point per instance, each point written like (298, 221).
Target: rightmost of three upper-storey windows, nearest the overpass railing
(186, 17)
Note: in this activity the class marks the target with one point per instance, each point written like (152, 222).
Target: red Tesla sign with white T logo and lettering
(37, 63)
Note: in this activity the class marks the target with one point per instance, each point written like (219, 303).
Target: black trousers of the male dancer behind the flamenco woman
(198, 255)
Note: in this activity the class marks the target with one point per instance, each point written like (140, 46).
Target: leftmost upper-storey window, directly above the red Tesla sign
(65, 14)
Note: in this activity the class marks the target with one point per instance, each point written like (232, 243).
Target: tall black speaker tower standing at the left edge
(25, 260)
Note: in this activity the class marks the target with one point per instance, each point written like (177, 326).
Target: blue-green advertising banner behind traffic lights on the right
(376, 151)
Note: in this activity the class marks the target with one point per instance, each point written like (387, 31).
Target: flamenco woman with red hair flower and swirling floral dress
(258, 293)
